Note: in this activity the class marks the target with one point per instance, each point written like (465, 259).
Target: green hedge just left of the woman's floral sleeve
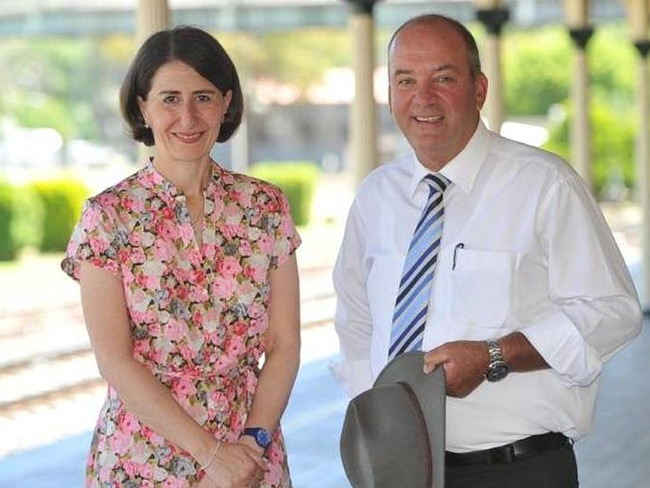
(62, 201)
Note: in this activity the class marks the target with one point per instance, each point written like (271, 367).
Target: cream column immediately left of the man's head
(363, 124)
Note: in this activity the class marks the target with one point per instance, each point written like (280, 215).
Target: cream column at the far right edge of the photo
(637, 11)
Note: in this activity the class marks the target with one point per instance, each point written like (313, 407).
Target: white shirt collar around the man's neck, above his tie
(463, 169)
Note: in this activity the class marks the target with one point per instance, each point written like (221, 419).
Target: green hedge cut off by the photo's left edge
(21, 214)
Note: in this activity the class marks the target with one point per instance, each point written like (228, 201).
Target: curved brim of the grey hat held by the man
(431, 392)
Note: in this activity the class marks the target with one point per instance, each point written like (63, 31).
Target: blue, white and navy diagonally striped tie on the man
(412, 301)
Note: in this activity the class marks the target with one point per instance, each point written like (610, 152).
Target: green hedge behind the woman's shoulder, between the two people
(297, 179)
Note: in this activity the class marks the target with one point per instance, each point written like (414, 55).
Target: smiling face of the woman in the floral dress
(184, 111)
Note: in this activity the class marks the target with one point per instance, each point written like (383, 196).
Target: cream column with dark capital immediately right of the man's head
(493, 17)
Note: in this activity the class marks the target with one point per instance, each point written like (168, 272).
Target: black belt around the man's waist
(510, 453)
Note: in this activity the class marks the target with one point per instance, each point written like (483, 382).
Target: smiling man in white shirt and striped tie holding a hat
(530, 294)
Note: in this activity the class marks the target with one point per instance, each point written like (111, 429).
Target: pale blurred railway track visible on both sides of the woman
(51, 358)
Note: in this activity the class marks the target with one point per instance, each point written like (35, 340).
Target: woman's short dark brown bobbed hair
(194, 47)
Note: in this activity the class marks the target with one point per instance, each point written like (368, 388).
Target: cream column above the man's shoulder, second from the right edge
(577, 15)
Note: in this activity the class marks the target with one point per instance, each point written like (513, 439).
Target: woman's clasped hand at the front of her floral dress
(236, 465)
